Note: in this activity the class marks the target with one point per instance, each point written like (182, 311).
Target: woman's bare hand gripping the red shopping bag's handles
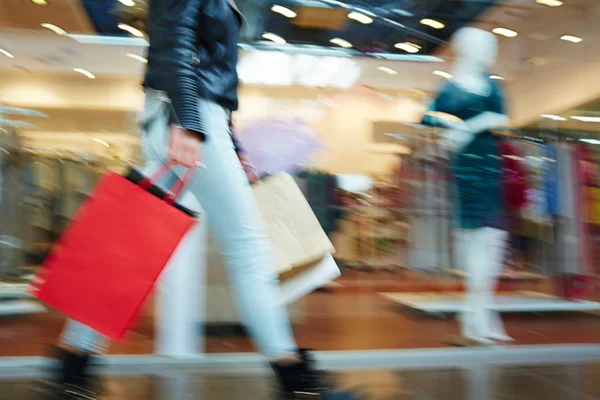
(185, 147)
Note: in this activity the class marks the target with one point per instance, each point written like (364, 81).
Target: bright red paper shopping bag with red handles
(109, 257)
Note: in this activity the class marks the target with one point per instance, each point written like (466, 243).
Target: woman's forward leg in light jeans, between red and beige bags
(223, 191)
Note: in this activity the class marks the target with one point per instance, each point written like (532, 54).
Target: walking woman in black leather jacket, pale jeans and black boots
(191, 90)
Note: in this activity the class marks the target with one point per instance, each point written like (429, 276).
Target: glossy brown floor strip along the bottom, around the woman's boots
(572, 382)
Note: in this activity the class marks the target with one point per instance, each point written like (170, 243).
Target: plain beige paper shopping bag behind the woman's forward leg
(292, 227)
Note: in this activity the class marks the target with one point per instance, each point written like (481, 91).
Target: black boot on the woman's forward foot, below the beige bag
(302, 380)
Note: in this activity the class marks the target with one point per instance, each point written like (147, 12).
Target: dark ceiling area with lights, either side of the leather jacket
(379, 36)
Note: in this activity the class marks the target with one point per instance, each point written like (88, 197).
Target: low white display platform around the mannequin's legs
(521, 301)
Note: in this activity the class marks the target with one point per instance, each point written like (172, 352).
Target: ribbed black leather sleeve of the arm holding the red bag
(181, 60)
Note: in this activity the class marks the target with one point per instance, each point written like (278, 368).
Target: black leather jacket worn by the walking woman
(193, 54)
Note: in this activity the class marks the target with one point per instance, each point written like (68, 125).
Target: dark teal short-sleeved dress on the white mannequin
(477, 168)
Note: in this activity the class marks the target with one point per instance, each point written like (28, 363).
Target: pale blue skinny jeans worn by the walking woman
(226, 198)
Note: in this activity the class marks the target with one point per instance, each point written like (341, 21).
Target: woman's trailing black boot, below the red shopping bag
(71, 381)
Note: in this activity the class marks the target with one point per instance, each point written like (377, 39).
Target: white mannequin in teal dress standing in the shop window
(475, 105)
